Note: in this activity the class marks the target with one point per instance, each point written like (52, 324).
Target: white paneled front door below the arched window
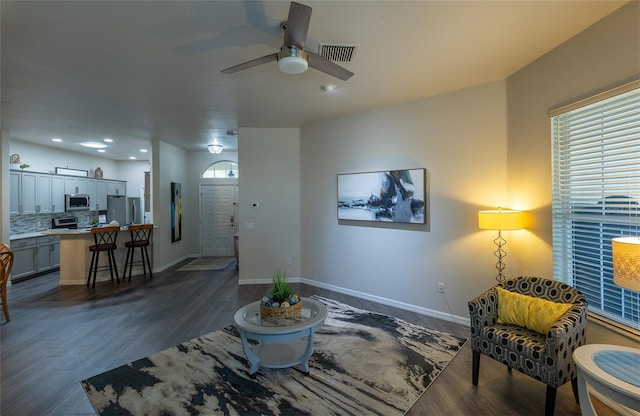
(217, 208)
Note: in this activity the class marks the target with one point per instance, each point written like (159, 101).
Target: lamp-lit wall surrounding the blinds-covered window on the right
(605, 55)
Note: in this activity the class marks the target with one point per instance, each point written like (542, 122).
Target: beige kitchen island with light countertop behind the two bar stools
(75, 256)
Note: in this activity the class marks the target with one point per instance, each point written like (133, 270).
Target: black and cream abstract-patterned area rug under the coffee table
(363, 363)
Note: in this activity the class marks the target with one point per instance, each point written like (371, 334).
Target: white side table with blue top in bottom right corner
(612, 370)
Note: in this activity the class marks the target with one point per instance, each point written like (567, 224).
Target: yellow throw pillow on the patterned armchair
(532, 313)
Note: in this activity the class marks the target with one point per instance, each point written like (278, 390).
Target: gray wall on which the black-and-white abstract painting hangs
(460, 138)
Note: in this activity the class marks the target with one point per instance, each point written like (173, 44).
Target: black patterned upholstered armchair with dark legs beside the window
(545, 356)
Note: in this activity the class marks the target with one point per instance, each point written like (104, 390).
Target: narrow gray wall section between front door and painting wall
(269, 163)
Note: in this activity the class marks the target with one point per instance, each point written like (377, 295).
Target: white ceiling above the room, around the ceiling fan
(140, 70)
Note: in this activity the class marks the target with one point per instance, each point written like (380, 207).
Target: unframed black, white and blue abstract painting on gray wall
(389, 196)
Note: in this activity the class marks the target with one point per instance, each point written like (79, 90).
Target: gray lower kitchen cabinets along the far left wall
(34, 255)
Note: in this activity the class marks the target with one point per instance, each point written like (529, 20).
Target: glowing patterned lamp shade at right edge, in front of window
(626, 262)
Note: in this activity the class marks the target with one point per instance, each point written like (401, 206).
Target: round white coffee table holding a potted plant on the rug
(282, 342)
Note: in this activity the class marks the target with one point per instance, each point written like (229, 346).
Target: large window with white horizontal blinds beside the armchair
(596, 196)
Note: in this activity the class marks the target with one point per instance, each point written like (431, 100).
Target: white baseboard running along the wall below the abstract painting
(385, 301)
